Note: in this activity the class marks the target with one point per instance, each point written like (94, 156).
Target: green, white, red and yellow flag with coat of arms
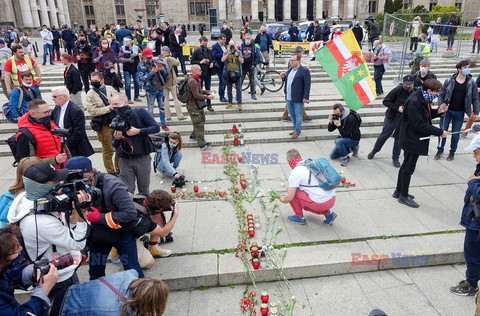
(342, 59)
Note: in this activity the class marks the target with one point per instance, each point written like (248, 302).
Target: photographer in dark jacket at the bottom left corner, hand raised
(12, 273)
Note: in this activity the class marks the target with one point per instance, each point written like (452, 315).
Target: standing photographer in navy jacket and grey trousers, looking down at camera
(132, 143)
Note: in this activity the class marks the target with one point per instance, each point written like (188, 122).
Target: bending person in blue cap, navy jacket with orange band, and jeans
(109, 216)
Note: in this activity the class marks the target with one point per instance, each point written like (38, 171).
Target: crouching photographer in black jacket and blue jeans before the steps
(348, 124)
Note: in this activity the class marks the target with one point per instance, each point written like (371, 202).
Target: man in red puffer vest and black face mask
(39, 124)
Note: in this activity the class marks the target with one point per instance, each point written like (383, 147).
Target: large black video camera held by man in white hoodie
(75, 182)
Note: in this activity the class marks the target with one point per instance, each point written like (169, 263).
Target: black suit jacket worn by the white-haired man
(77, 142)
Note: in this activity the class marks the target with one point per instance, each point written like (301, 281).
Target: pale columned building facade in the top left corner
(35, 13)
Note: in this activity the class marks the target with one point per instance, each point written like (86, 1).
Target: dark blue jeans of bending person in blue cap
(126, 246)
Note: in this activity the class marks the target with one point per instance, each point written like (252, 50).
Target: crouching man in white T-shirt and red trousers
(304, 192)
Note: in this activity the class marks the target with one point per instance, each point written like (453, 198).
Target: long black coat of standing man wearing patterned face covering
(417, 122)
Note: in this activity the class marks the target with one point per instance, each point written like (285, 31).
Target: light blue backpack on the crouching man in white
(326, 175)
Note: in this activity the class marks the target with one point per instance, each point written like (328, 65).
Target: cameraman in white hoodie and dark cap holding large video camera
(51, 217)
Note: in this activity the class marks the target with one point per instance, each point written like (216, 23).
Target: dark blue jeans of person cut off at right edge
(471, 252)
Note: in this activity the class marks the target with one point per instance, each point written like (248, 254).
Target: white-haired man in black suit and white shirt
(69, 115)
